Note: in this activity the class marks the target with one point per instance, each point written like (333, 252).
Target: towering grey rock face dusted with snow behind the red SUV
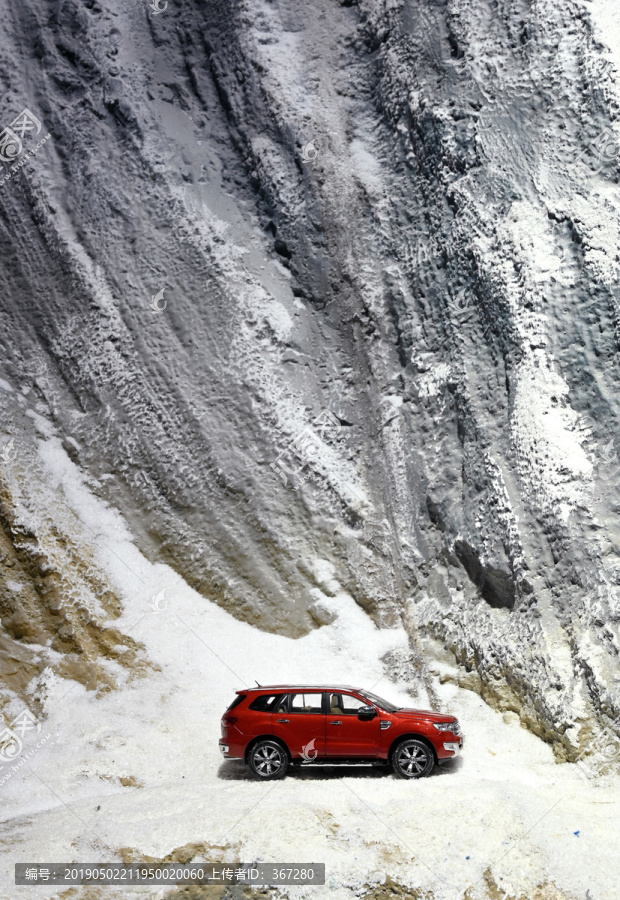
(385, 355)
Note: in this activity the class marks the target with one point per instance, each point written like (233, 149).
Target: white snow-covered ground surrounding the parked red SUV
(505, 808)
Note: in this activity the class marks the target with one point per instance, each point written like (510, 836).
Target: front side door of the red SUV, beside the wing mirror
(346, 735)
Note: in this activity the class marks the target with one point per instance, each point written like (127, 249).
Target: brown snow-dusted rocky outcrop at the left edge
(56, 606)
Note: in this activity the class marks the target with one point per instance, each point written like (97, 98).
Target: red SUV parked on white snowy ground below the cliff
(272, 727)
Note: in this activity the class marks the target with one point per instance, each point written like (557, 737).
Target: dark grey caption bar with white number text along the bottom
(139, 873)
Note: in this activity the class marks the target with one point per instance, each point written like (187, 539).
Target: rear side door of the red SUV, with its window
(299, 719)
